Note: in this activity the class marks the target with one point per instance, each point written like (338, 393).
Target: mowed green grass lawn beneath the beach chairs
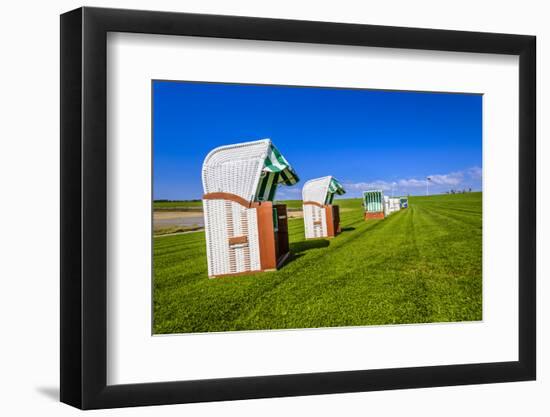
(420, 265)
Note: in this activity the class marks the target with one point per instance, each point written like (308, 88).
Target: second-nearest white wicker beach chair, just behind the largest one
(321, 217)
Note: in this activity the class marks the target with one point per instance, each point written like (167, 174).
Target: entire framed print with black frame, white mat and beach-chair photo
(257, 208)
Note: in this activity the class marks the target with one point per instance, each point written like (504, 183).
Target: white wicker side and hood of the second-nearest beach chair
(315, 221)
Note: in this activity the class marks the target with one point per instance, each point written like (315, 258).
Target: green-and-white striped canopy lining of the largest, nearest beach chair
(276, 171)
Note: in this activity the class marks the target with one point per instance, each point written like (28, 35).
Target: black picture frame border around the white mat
(84, 207)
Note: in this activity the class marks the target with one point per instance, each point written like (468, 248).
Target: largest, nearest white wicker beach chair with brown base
(245, 231)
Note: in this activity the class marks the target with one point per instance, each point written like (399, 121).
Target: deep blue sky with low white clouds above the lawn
(365, 138)
